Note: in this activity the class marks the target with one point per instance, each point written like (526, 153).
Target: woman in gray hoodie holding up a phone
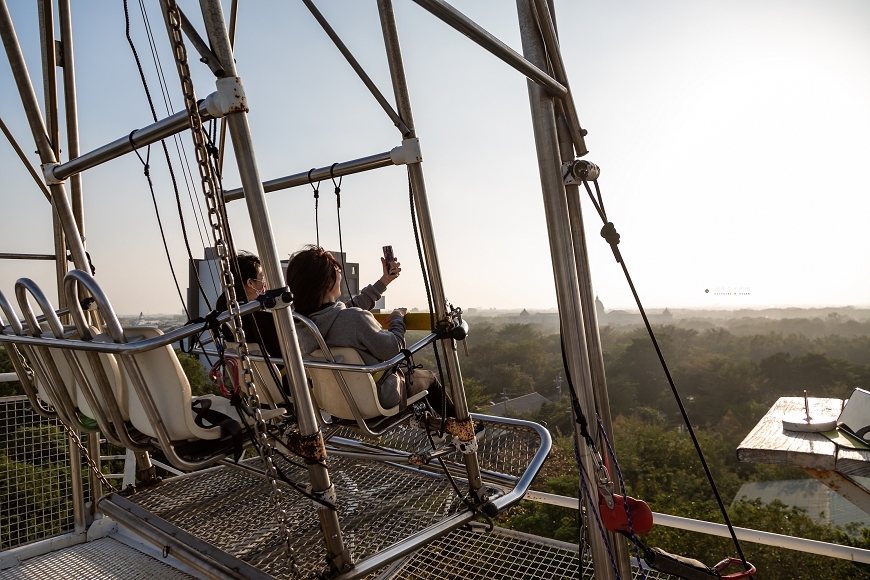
(314, 278)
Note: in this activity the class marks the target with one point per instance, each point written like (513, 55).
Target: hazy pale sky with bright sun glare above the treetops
(733, 139)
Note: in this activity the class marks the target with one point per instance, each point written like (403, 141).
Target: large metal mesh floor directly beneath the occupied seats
(379, 505)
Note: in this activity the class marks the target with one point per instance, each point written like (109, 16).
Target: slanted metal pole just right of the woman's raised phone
(421, 201)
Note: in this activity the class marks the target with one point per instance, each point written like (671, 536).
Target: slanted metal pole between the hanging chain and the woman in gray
(255, 197)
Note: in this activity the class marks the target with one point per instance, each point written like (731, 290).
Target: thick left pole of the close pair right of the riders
(564, 270)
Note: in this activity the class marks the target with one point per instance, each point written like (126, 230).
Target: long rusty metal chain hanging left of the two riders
(216, 215)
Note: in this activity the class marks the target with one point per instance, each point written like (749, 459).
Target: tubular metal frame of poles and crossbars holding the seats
(558, 136)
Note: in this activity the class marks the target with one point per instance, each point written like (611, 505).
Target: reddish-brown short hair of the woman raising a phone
(312, 271)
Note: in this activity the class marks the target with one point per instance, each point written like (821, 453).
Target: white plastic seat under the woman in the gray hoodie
(330, 397)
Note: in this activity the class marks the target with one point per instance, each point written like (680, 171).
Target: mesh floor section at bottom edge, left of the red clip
(498, 555)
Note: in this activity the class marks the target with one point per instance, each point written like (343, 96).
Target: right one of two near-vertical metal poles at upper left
(70, 105)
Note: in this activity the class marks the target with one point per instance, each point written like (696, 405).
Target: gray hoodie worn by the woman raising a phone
(342, 324)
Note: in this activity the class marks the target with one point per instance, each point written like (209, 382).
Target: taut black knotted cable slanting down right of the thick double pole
(608, 232)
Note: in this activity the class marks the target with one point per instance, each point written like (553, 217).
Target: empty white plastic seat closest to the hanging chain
(165, 380)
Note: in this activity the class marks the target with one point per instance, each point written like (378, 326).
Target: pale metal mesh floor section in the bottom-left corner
(105, 559)
